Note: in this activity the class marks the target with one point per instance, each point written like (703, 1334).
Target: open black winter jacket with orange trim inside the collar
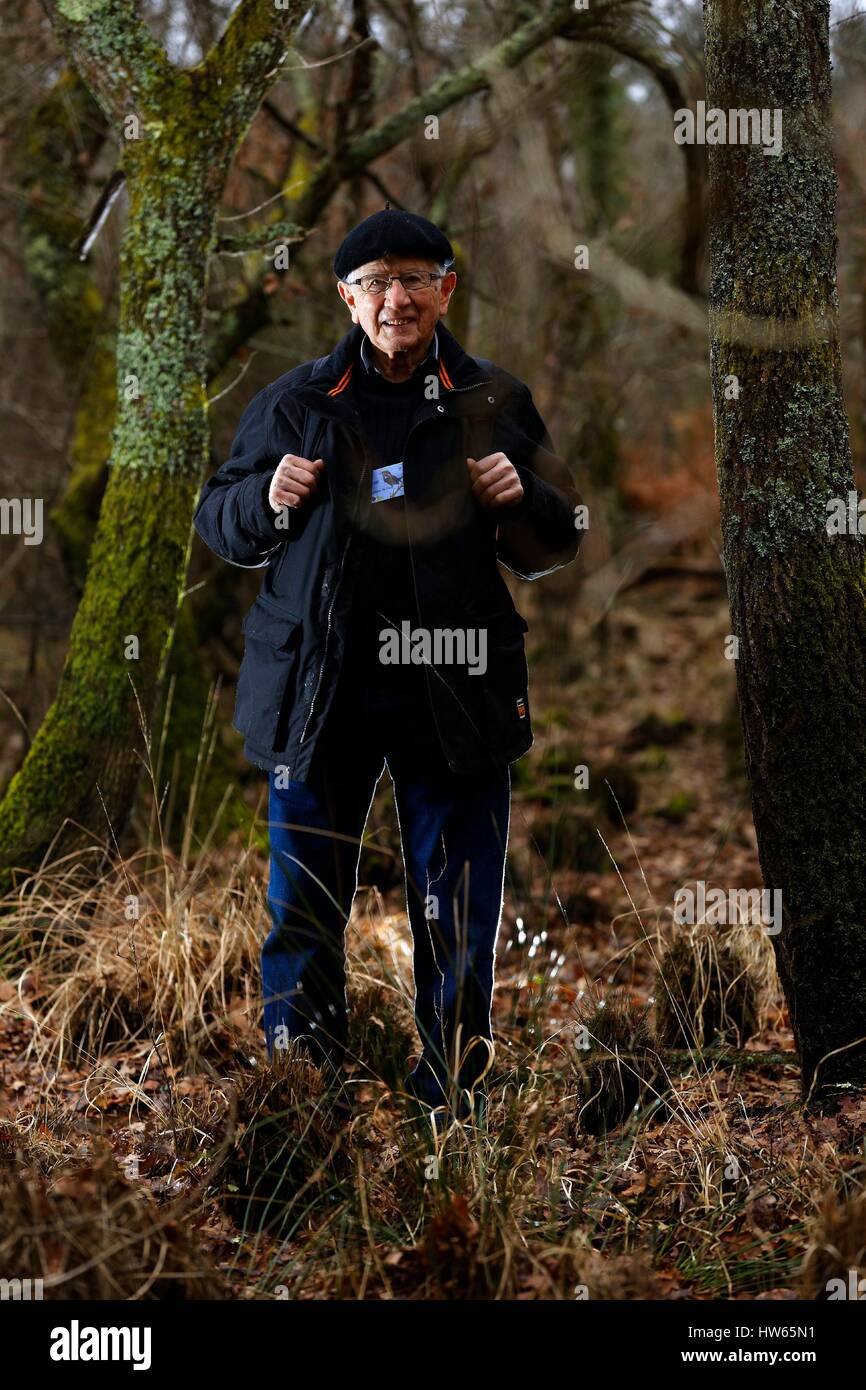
(297, 629)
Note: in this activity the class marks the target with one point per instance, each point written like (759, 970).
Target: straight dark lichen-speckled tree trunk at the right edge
(783, 451)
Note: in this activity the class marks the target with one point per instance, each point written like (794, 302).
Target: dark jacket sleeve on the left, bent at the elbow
(234, 516)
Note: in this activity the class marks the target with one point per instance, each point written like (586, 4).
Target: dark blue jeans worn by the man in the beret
(454, 832)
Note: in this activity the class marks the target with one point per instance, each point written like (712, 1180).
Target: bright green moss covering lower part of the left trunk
(88, 749)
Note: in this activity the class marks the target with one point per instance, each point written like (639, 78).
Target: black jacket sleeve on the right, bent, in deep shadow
(537, 534)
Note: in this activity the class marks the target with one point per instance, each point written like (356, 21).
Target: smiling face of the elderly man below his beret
(395, 322)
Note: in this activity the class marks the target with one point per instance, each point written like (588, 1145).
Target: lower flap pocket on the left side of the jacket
(270, 661)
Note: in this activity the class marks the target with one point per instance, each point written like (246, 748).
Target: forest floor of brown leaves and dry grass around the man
(148, 1150)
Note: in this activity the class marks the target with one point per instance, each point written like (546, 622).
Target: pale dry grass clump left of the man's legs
(154, 951)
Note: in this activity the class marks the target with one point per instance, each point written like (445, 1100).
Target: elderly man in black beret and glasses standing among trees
(379, 487)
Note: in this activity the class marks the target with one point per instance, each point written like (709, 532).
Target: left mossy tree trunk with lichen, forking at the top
(180, 130)
